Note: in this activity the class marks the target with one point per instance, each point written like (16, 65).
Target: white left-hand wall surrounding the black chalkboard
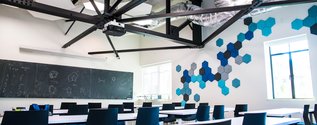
(19, 28)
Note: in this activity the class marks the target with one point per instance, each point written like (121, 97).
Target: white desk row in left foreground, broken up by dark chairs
(66, 119)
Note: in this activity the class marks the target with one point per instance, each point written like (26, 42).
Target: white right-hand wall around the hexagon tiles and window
(253, 89)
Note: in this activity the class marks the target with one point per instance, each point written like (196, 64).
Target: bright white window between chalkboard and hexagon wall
(157, 81)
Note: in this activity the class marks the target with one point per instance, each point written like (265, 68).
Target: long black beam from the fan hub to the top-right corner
(214, 10)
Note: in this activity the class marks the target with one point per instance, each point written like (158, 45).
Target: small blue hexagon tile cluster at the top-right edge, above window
(310, 21)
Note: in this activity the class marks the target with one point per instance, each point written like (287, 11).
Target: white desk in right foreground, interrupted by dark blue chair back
(239, 120)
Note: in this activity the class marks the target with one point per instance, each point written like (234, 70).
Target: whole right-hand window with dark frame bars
(290, 75)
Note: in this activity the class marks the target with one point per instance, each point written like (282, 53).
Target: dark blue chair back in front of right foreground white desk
(254, 119)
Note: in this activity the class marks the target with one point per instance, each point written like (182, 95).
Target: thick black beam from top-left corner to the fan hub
(55, 11)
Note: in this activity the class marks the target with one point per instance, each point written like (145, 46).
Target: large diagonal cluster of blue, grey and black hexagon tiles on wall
(221, 76)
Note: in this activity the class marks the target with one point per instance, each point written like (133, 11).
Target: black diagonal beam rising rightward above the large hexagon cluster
(233, 19)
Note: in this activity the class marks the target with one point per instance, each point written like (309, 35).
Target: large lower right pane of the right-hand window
(302, 75)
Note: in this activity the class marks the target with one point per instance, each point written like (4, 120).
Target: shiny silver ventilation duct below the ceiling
(210, 20)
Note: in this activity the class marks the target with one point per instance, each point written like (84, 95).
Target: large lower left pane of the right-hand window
(281, 79)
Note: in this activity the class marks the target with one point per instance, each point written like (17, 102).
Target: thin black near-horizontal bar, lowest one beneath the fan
(141, 49)
